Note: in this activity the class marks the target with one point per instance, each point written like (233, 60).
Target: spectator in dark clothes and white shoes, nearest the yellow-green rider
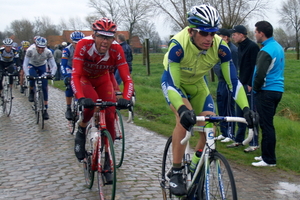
(225, 102)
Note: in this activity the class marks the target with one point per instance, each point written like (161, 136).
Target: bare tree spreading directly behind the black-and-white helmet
(232, 12)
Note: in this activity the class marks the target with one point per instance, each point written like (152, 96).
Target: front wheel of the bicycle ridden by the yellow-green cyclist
(217, 181)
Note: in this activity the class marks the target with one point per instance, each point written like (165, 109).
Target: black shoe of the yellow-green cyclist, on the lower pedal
(177, 186)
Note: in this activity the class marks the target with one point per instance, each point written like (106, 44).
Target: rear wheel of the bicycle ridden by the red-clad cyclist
(87, 163)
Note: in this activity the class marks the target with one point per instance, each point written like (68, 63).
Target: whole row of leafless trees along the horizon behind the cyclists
(139, 17)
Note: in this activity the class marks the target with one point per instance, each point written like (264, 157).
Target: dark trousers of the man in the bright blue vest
(266, 103)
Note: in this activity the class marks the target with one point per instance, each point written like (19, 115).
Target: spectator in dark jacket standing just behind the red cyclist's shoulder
(128, 55)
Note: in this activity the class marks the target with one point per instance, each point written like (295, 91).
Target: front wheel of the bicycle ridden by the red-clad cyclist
(107, 190)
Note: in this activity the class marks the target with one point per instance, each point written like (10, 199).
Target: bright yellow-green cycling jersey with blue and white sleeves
(187, 66)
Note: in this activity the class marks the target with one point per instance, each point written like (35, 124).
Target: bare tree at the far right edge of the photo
(290, 15)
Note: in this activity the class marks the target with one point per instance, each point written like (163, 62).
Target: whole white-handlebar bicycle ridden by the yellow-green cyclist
(213, 177)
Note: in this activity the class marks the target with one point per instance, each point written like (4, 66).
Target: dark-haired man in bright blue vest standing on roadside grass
(268, 86)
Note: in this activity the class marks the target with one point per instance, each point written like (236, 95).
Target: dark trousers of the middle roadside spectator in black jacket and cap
(240, 134)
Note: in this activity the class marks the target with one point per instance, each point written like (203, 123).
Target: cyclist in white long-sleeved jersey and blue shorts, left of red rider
(34, 64)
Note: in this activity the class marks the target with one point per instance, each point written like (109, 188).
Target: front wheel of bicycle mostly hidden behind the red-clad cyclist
(119, 143)
